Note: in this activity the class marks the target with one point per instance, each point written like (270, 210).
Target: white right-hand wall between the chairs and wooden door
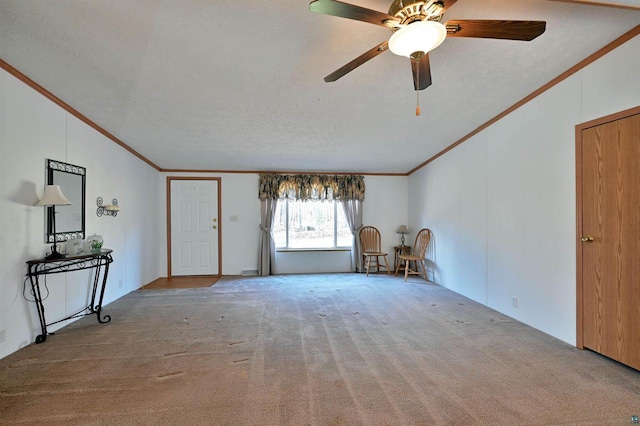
(502, 204)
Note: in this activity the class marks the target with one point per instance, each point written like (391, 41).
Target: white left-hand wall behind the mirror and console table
(33, 129)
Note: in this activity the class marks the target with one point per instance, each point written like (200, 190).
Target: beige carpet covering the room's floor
(337, 349)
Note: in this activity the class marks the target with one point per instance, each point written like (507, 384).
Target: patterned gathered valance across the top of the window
(311, 187)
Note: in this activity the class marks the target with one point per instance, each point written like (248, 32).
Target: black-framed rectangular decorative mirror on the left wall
(69, 219)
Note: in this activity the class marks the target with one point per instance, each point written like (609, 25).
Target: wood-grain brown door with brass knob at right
(610, 239)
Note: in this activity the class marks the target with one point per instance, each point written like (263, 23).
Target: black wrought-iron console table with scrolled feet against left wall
(97, 261)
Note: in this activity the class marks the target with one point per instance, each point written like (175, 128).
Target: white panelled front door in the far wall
(194, 227)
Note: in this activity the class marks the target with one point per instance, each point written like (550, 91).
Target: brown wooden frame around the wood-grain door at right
(579, 244)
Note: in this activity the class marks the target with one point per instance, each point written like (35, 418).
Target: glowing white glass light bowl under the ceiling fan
(419, 36)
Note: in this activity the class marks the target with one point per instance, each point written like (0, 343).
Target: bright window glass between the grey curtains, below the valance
(310, 225)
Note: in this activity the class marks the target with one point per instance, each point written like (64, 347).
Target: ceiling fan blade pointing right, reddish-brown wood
(508, 30)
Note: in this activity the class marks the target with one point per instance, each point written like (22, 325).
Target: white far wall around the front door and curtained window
(385, 207)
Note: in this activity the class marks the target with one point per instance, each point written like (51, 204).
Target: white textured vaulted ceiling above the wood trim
(238, 84)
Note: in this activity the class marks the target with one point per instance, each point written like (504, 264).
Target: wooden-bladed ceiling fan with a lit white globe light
(417, 29)
